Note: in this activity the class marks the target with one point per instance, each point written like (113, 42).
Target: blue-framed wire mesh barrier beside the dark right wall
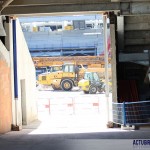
(131, 113)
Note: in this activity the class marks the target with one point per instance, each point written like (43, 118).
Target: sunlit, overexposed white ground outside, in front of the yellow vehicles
(71, 112)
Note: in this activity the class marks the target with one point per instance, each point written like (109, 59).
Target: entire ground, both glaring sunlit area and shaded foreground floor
(71, 121)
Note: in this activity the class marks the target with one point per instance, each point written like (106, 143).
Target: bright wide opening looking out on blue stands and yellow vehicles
(69, 40)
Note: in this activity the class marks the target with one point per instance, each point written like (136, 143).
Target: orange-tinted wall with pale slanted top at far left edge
(5, 91)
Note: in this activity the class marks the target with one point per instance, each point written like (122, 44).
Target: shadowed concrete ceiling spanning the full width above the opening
(28, 7)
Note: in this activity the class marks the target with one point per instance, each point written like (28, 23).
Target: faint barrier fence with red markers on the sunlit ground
(68, 105)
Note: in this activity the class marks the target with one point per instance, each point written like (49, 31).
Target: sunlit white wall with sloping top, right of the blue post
(26, 103)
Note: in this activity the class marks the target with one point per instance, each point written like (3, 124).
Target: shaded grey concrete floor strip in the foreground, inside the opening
(25, 140)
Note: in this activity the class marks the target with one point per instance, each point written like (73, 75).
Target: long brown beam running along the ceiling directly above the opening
(46, 9)
